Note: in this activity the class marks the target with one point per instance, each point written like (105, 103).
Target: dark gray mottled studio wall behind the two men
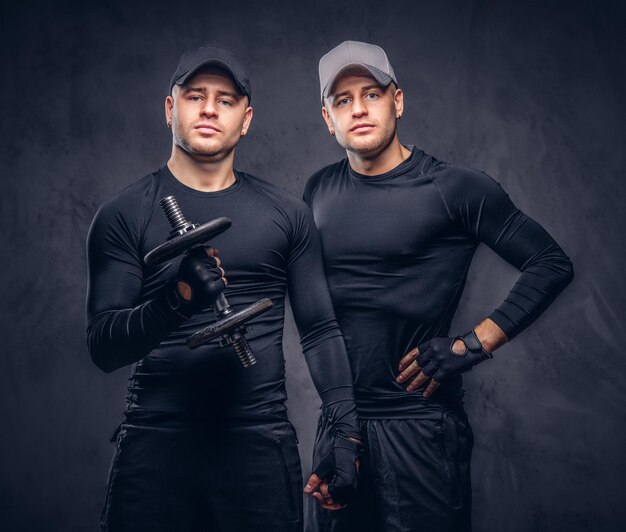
(532, 93)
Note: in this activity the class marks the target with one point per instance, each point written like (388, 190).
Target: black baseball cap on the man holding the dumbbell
(192, 60)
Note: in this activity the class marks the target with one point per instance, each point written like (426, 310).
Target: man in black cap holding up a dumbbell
(206, 444)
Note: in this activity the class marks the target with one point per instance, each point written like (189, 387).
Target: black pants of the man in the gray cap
(414, 476)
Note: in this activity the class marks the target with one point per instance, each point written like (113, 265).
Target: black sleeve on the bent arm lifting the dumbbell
(120, 329)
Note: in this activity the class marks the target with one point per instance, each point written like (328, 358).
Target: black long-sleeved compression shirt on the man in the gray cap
(397, 248)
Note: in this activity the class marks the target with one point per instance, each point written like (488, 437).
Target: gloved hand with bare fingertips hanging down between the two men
(335, 479)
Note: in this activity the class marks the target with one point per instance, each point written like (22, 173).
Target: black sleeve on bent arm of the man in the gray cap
(486, 212)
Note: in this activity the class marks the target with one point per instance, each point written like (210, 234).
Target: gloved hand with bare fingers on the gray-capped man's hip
(439, 358)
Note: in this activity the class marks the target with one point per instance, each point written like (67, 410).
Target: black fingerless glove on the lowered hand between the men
(339, 469)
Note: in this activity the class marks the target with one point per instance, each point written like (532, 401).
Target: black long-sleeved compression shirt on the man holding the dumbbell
(272, 246)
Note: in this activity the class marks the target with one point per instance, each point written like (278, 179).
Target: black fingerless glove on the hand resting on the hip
(438, 361)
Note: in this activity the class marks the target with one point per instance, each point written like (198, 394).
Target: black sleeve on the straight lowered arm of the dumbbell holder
(321, 339)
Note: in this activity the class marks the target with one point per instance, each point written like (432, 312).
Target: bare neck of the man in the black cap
(202, 173)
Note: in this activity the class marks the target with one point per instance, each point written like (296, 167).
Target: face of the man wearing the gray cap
(362, 114)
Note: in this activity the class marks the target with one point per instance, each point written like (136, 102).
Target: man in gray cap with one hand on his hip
(399, 229)
